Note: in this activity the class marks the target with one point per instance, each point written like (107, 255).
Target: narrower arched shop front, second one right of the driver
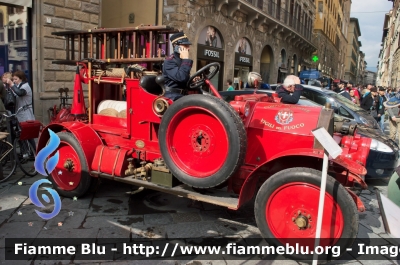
(243, 63)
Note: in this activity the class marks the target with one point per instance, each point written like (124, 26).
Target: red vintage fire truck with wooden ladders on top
(199, 146)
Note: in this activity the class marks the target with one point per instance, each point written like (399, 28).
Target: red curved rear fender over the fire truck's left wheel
(86, 136)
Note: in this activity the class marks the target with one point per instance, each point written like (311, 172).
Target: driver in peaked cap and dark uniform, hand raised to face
(176, 69)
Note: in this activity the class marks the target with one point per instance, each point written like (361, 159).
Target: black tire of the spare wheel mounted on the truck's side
(237, 139)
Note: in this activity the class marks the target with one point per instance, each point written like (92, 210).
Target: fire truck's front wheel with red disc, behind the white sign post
(286, 211)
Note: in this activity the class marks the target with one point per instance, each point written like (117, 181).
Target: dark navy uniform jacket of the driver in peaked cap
(176, 71)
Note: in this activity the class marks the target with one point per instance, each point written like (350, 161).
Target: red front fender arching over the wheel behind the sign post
(290, 158)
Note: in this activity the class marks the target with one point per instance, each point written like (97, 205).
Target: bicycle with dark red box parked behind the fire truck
(24, 149)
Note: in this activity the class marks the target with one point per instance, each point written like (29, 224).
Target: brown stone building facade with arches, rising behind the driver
(278, 36)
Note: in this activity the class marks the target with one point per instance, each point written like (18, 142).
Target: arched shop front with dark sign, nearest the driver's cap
(210, 49)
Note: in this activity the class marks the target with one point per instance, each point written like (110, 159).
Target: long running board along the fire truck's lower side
(213, 196)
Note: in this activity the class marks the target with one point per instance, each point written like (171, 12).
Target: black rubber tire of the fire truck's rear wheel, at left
(86, 179)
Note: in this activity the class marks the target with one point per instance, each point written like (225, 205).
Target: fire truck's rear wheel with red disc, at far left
(70, 177)
